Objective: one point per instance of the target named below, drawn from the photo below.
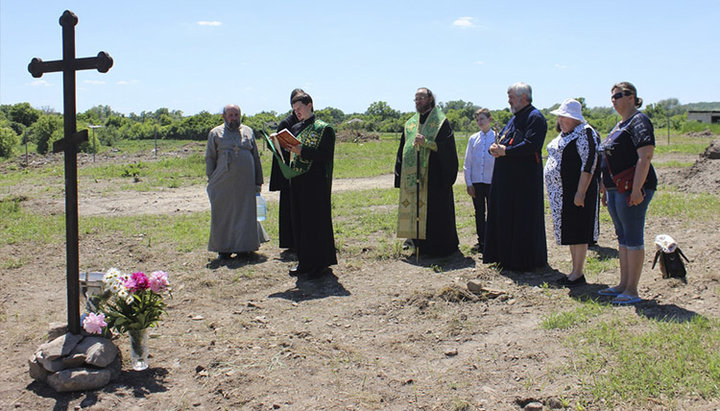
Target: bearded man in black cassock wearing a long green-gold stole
(429, 138)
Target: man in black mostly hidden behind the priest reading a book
(278, 182)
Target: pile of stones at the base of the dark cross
(71, 362)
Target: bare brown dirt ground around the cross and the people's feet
(378, 334)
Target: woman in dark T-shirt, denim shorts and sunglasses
(630, 144)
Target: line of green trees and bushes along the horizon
(21, 123)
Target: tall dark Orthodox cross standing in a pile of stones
(69, 65)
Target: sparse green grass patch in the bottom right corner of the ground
(627, 362)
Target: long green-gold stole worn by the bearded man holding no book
(412, 211)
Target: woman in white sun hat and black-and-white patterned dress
(572, 185)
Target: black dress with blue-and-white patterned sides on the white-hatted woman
(569, 155)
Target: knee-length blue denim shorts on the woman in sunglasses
(629, 221)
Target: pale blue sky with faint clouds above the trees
(199, 55)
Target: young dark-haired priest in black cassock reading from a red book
(310, 191)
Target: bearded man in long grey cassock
(232, 165)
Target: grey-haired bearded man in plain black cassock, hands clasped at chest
(515, 233)
